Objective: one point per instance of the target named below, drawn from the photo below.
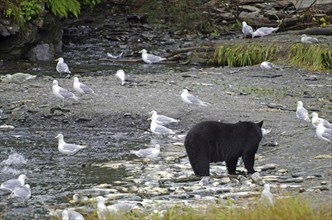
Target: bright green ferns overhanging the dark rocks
(25, 10)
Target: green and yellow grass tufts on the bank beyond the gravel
(312, 57)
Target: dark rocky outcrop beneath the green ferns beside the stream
(39, 40)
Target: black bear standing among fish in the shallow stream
(212, 141)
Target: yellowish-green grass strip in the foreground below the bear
(284, 209)
